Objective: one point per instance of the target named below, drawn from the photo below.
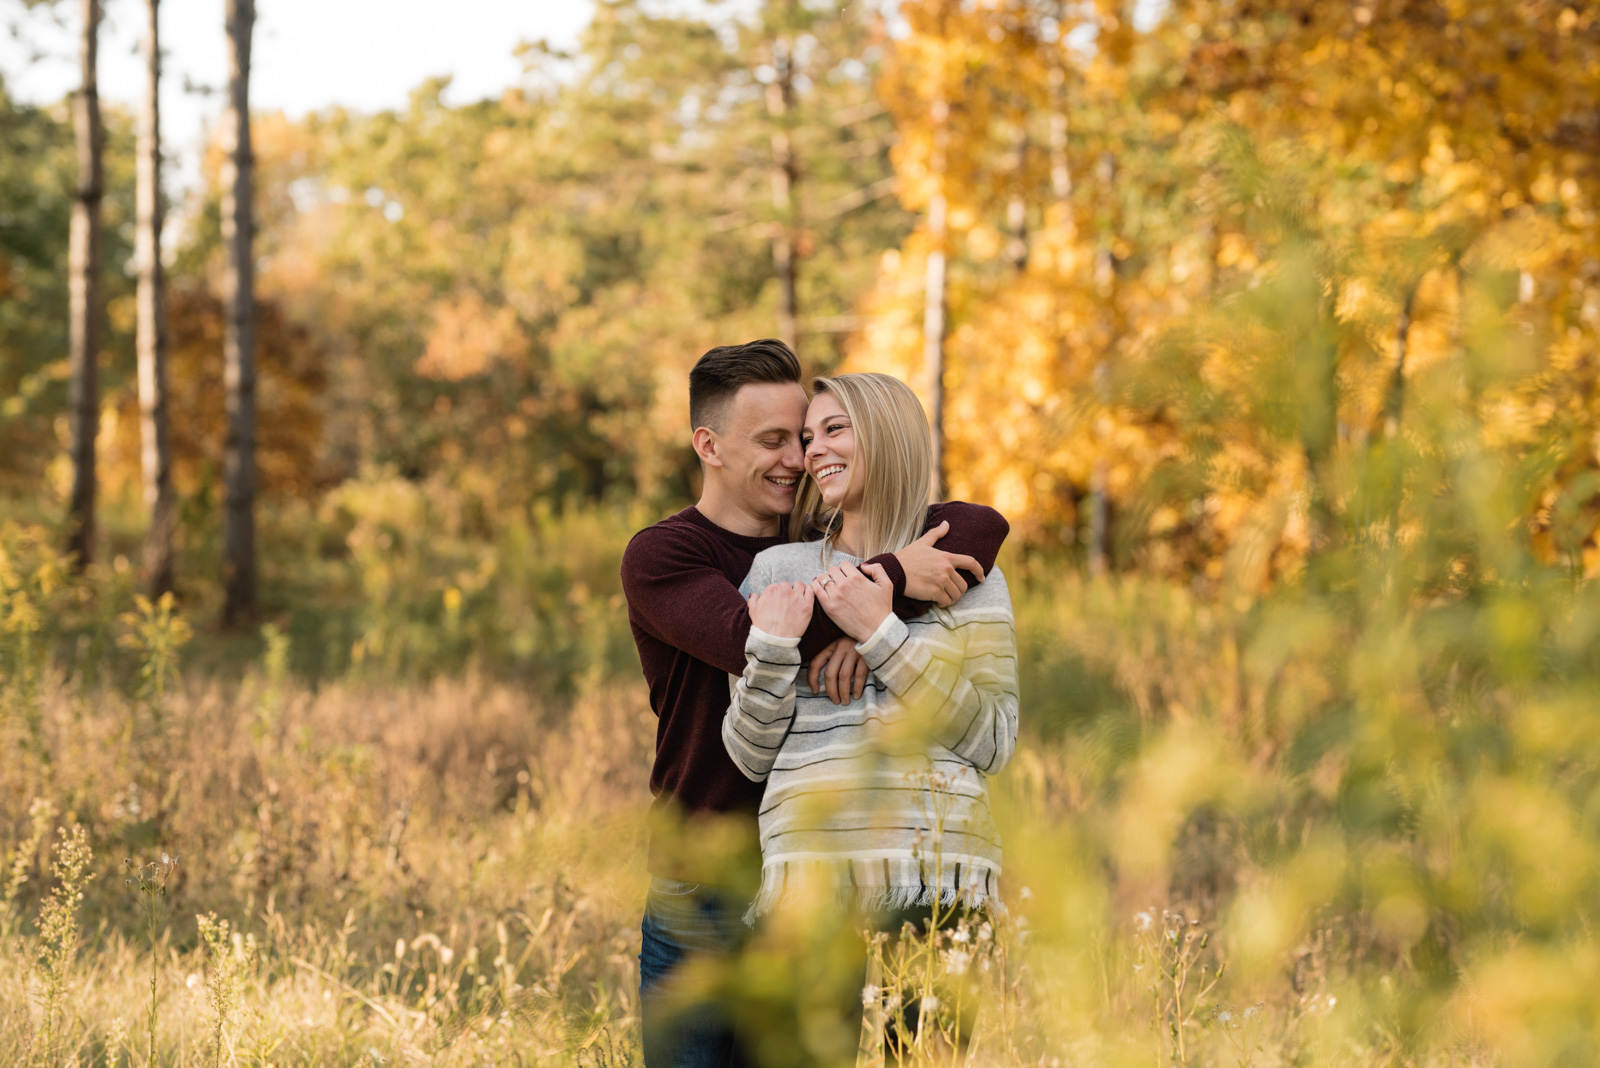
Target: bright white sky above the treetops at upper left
(308, 55)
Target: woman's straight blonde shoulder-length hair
(894, 464)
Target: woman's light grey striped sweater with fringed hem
(882, 802)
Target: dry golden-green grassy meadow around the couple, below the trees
(1338, 824)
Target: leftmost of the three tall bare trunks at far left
(84, 266)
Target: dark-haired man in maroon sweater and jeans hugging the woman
(690, 624)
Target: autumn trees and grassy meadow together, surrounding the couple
(1270, 325)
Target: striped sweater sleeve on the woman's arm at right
(959, 672)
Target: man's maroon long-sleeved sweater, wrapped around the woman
(682, 583)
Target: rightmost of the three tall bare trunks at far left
(239, 345)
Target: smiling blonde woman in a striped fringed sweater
(881, 803)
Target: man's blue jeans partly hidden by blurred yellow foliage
(686, 1024)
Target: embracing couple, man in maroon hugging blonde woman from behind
(833, 664)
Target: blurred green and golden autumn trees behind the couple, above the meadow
(1169, 276)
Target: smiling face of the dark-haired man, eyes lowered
(761, 448)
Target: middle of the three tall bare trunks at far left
(156, 453)
